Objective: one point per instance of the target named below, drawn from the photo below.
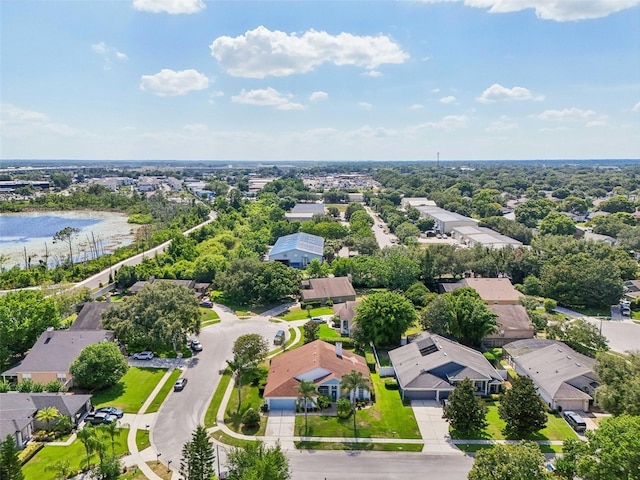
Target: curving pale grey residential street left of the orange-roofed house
(183, 411)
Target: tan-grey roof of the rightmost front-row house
(552, 365)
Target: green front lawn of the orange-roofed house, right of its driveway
(387, 417)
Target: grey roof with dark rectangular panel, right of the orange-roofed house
(430, 360)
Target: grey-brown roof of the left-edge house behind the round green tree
(55, 350)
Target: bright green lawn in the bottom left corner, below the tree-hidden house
(41, 466)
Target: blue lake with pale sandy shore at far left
(33, 232)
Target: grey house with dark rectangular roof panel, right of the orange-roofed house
(430, 367)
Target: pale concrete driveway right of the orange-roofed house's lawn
(433, 428)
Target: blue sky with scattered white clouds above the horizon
(320, 80)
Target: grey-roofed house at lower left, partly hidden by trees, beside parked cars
(18, 411)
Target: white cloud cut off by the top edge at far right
(558, 10)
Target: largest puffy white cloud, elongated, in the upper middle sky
(261, 52)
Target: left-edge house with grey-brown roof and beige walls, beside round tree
(53, 353)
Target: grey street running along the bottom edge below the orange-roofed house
(359, 465)
